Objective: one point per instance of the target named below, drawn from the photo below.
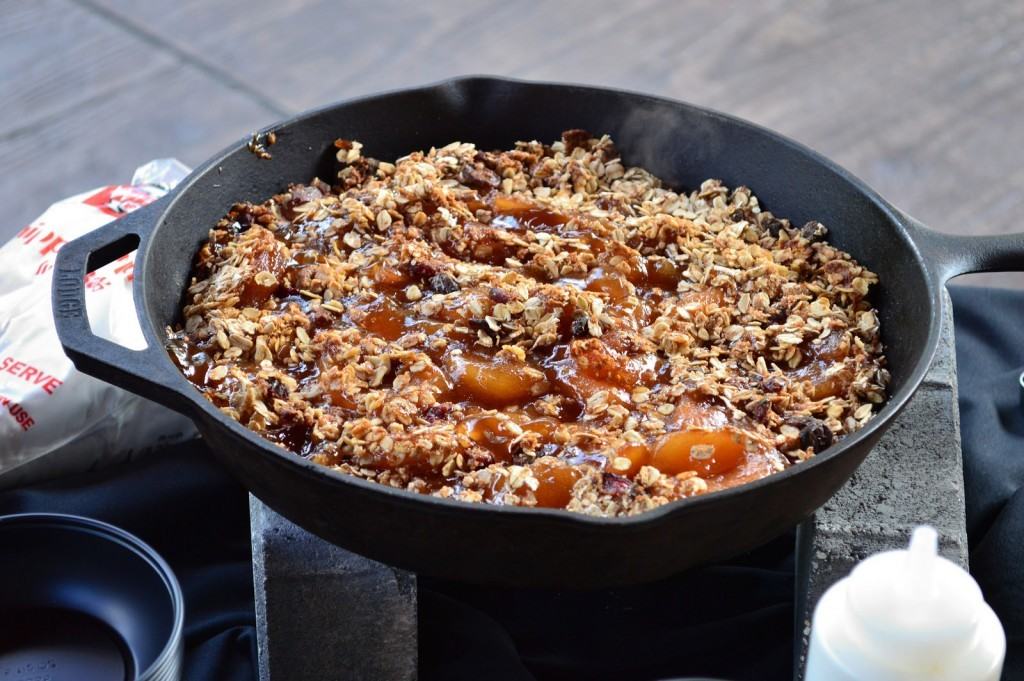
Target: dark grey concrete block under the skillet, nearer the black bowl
(327, 614)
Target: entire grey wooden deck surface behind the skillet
(924, 100)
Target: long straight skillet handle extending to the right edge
(953, 256)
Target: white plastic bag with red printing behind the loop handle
(55, 420)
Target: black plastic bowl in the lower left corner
(84, 601)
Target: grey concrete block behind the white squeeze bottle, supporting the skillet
(914, 477)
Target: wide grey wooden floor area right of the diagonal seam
(920, 99)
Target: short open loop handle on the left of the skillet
(134, 370)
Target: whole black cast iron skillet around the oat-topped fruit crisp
(684, 145)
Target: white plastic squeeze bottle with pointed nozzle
(906, 616)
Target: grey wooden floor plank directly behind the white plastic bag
(174, 113)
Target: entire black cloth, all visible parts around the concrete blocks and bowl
(732, 621)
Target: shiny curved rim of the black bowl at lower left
(137, 546)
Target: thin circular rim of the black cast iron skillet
(205, 411)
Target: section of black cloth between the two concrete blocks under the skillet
(732, 621)
